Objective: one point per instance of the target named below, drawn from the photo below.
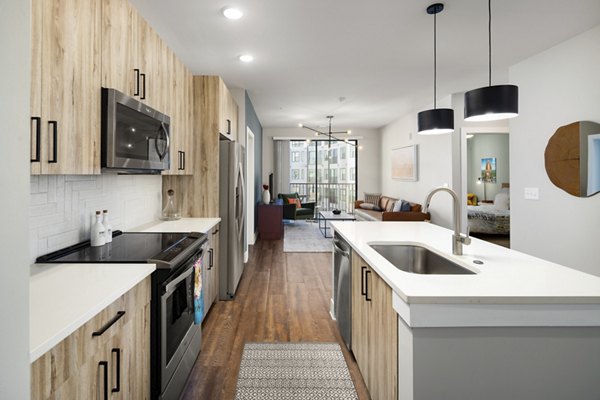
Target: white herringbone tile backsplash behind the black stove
(62, 207)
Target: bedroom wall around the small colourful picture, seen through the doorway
(484, 145)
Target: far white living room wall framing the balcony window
(368, 157)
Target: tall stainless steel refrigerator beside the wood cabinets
(233, 215)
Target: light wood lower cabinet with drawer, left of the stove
(109, 352)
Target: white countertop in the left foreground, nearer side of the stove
(63, 297)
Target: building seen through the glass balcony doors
(325, 172)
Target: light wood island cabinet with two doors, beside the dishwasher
(374, 331)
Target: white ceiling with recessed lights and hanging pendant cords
(366, 62)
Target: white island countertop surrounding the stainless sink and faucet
(506, 276)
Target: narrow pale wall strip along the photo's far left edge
(14, 175)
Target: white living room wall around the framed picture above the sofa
(434, 166)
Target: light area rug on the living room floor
(304, 237)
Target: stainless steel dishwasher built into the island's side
(342, 287)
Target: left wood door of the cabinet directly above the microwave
(119, 29)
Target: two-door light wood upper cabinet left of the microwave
(65, 87)
